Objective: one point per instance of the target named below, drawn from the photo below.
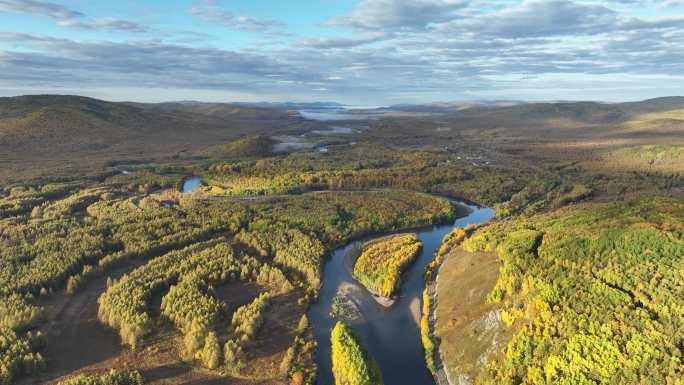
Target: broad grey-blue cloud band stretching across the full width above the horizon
(429, 66)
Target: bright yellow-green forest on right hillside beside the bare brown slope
(592, 294)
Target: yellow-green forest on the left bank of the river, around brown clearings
(60, 239)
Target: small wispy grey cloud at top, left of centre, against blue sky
(209, 11)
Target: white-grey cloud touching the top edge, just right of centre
(399, 14)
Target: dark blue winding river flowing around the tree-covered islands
(390, 334)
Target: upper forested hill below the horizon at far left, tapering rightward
(55, 126)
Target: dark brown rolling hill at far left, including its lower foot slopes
(58, 136)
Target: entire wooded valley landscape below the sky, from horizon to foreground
(185, 244)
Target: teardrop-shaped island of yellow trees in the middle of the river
(381, 263)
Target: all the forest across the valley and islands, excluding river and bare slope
(217, 284)
